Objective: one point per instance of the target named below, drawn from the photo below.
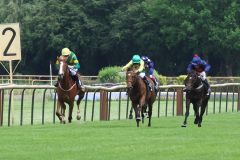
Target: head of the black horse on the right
(192, 81)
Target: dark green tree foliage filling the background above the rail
(108, 32)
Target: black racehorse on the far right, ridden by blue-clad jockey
(196, 93)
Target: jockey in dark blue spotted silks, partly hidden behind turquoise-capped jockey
(149, 67)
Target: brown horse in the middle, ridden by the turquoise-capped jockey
(140, 96)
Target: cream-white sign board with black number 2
(10, 48)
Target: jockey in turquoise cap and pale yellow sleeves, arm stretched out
(136, 60)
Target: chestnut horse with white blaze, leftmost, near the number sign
(66, 91)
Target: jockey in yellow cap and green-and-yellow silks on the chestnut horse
(73, 65)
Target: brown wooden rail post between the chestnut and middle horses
(103, 105)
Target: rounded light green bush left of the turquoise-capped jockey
(111, 75)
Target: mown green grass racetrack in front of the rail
(217, 139)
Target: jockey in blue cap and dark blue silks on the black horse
(201, 67)
